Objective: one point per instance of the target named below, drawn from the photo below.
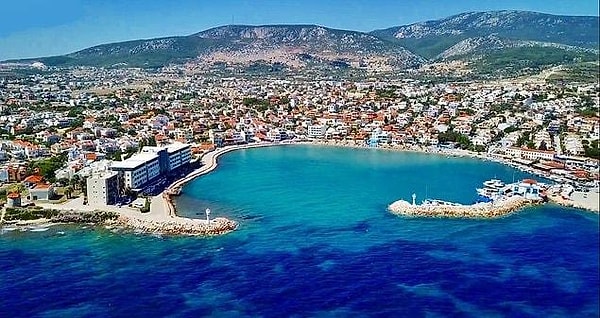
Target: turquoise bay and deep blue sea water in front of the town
(315, 239)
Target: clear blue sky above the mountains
(34, 28)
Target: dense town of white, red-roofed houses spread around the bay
(109, 136)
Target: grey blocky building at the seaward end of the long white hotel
(103, 188)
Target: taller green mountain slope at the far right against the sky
(432, 38)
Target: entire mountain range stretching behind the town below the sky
(469, 36)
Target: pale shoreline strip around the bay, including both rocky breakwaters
(163, 219)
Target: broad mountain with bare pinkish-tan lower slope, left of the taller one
(286, 44)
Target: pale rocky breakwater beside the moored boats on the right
(486, 210)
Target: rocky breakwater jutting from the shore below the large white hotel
(178, 226)
